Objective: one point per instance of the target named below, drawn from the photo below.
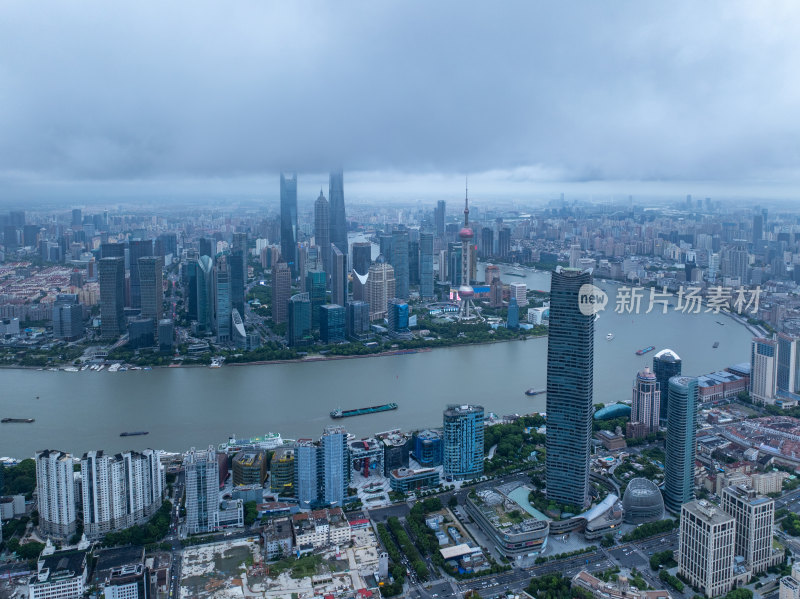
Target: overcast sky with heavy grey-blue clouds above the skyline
(202, 96)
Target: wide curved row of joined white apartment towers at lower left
(121, 490)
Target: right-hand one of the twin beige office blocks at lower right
(755, 517)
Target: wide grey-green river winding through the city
(185, 407)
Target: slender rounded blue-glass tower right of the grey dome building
(681, 445)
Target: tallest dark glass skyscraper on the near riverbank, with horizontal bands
(570, 382)
